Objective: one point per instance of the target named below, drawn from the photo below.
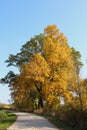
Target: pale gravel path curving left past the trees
(28, 121)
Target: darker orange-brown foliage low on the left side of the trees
(19, 92)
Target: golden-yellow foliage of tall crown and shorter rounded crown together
(50, 71)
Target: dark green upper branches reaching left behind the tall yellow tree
(26, 52)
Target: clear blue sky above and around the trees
(22, 19)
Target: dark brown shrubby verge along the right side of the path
(65, 120)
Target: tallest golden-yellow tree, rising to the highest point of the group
(58, 55)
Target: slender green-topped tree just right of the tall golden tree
(76, 85)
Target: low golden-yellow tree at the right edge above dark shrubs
(80, 103)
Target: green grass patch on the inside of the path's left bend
(8, 121)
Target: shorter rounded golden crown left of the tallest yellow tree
(37, 69)
